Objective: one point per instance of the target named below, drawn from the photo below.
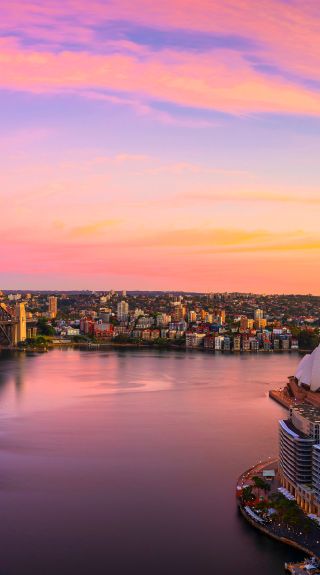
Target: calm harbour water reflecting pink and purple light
(126, 462)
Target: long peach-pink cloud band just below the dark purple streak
(218, 81)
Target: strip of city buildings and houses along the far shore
(218, 322)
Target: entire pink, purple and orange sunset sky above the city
(160, 145)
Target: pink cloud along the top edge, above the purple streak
(286, 34)
